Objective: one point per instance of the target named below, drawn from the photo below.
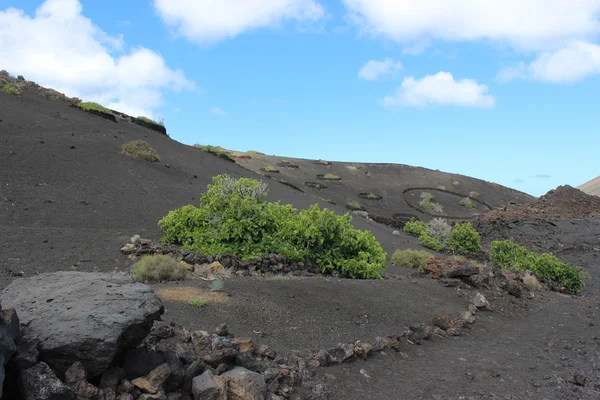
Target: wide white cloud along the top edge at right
(524, 24)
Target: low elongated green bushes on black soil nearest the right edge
(509, 255)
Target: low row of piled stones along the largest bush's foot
(273, 264)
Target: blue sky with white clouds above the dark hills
(478, 88)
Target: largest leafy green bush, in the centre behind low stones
(233, 218)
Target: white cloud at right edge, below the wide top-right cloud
(572, 63)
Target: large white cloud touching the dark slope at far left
(60, 48)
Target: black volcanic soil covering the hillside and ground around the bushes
(69, 199)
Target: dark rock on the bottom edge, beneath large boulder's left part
(40, 383)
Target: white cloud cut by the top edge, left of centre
(208, 21)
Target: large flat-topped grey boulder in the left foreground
(87, 317)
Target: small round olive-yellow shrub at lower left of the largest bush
(156, 268)
